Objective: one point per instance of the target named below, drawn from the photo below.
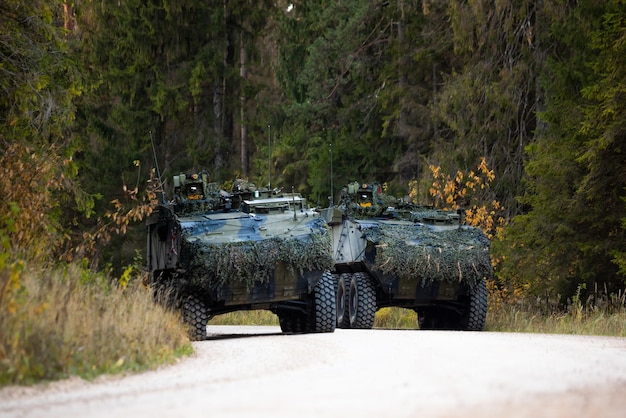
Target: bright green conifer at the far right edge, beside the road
(574, 234)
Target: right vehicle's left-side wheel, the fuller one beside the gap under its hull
(362, 301)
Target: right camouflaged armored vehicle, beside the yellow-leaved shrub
(393, 253)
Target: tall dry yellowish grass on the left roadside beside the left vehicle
(66, 322)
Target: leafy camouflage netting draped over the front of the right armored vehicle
(451, 255)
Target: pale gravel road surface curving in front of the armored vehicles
(243, 371)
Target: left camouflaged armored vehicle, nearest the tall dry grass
(212, 252)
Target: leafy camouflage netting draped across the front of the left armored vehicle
(213, 265)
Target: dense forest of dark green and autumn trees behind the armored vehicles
(286, 91)
